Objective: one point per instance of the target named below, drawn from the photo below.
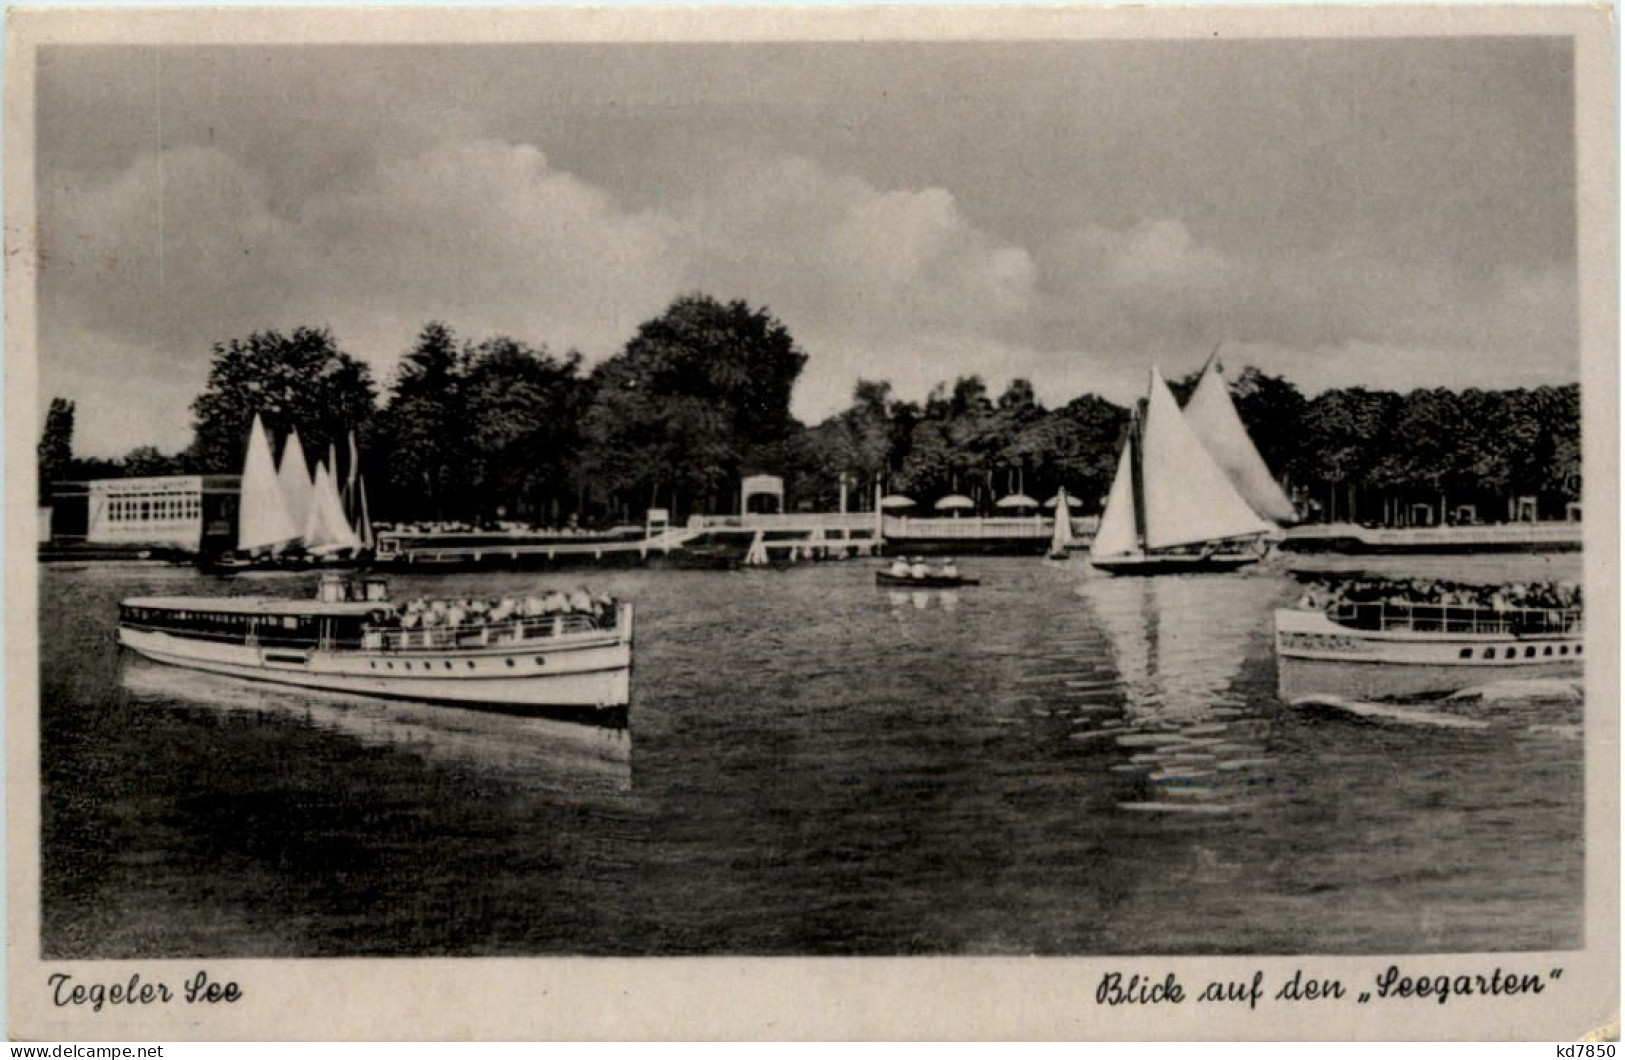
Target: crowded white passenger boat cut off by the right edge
(1384, 651)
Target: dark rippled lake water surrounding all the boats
(1051, 763)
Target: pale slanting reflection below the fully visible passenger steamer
(537, 752)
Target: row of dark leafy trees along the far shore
(701, 396)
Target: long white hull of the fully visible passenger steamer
(586, 672)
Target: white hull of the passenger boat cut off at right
(1320, 658)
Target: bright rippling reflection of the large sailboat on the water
(1179, 646)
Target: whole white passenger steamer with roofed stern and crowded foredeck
(352, 638)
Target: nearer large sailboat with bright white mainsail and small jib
(1172, 510)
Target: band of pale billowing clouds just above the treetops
(898, 284)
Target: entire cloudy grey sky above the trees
(1387, 214)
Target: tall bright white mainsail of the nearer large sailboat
(1189, 498)
